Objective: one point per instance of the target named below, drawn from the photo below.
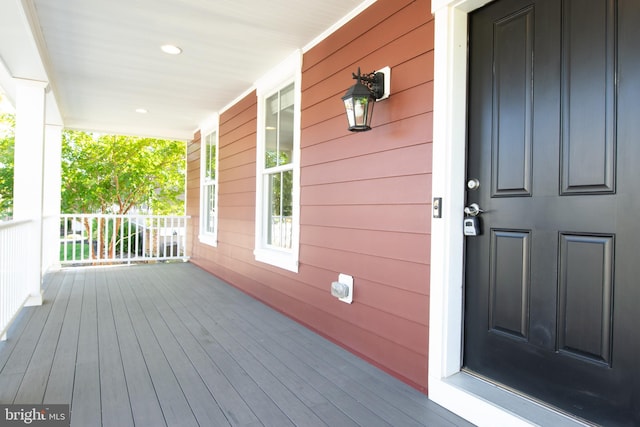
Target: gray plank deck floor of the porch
(169, 344)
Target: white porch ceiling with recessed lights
(102, 58)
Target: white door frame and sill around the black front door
(480, 402)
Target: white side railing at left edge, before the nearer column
(16, 245)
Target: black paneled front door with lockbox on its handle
(552, 285)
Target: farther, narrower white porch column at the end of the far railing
(51, 197)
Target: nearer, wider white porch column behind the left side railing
(28, 188)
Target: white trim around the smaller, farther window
(206, 129)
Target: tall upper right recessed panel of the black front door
(588, 142)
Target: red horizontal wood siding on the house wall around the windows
(365, 197)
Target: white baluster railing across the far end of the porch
(110, 239)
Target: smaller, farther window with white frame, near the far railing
(209, 188)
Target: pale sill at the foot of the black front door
(489, 398)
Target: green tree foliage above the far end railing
(113, 174)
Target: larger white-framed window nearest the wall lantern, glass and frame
(277, 216)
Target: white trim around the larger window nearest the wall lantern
(289, 71)
